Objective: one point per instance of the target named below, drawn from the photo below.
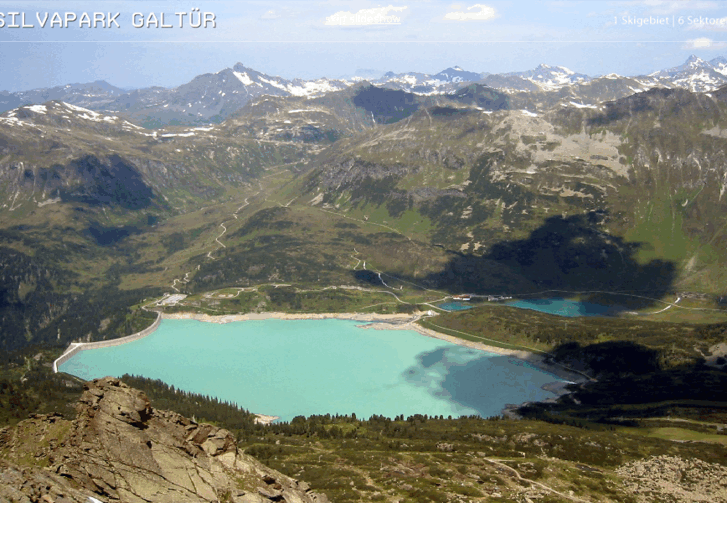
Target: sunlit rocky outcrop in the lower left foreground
(120, 449)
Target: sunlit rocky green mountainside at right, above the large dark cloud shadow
(655, 210)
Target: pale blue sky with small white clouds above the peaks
(334, 38)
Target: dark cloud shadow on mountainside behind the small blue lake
(563, 254)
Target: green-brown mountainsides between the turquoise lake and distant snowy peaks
(455, 191)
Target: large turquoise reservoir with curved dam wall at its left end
(287, 368)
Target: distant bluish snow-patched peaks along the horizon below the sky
(211, 98)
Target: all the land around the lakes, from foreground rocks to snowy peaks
(251, 193)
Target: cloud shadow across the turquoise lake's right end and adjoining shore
(630, 378)
